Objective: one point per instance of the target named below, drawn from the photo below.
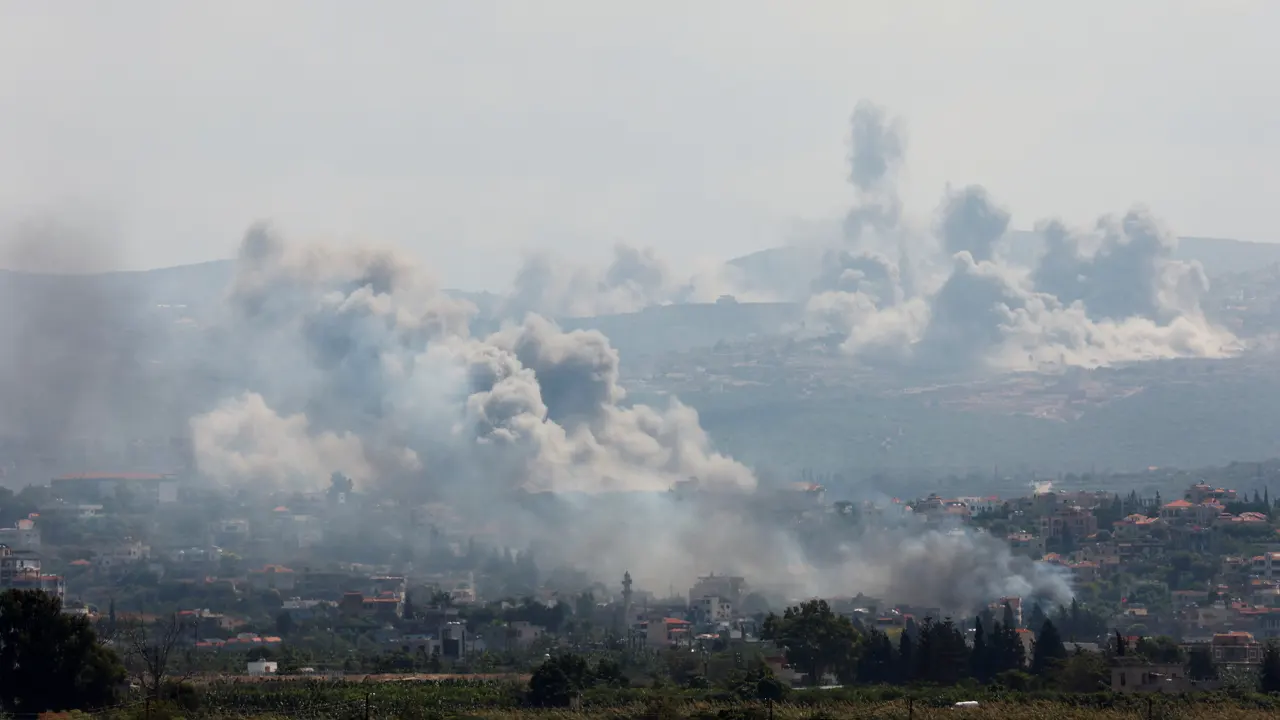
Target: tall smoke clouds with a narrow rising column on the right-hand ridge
(952, 302)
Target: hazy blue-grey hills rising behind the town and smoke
(774, 398)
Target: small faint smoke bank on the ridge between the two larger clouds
(634, 280)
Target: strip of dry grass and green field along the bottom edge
(285, 699)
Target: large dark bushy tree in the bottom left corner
(52, 662)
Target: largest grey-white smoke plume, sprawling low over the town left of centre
(354, 362)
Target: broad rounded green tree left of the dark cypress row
(816, 640)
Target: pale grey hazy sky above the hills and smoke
(469, 130)
